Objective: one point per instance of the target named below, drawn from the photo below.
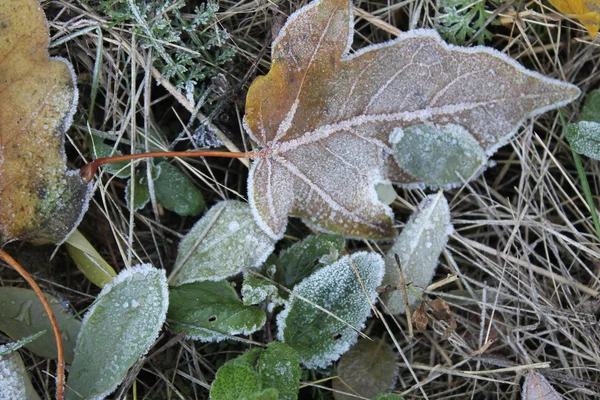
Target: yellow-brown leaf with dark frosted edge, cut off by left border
(40, 201)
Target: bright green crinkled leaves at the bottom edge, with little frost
(271, 373)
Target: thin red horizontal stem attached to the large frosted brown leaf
(89, 170)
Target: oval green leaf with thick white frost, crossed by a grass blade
(319, 337)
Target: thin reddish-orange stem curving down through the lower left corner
(60, 374)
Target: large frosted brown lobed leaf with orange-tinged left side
(322, 117)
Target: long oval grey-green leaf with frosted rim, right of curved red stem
(117, 330)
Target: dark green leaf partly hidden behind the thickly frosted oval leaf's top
(302, 258)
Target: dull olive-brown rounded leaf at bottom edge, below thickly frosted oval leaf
(367, 369)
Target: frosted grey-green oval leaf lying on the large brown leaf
(438, 155)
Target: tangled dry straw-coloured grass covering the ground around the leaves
(525, 255)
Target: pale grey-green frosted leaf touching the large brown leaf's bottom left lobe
(223, 243)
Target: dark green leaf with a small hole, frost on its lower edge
(209, 311)
